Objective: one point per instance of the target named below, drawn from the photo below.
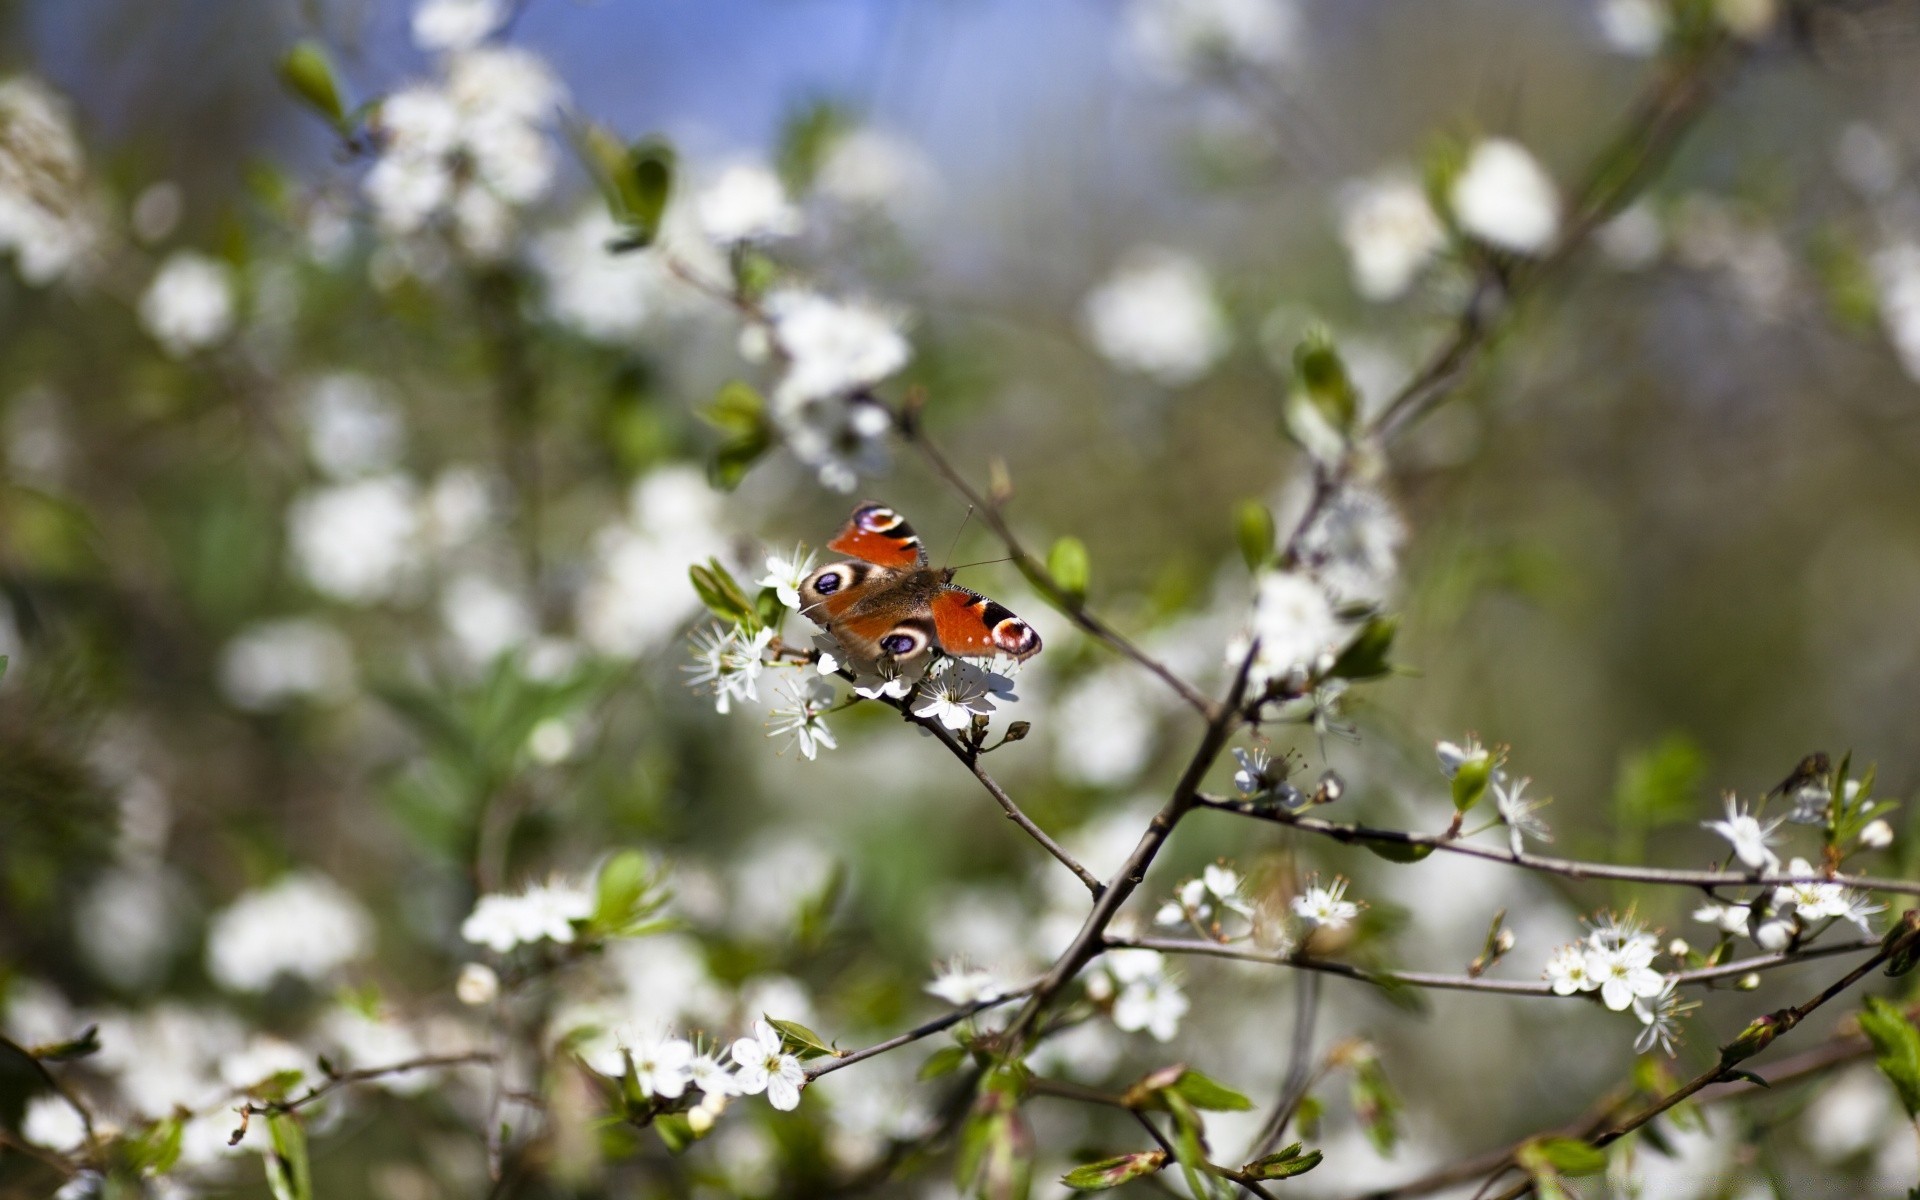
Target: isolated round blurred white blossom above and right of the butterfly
(1157, 316)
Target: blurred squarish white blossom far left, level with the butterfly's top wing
(356, 542)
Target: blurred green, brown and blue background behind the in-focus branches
(343, 554)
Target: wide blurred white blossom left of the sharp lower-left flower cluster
(302, 926)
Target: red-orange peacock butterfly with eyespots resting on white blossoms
(890, 612)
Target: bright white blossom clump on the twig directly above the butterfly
(832, 347)
